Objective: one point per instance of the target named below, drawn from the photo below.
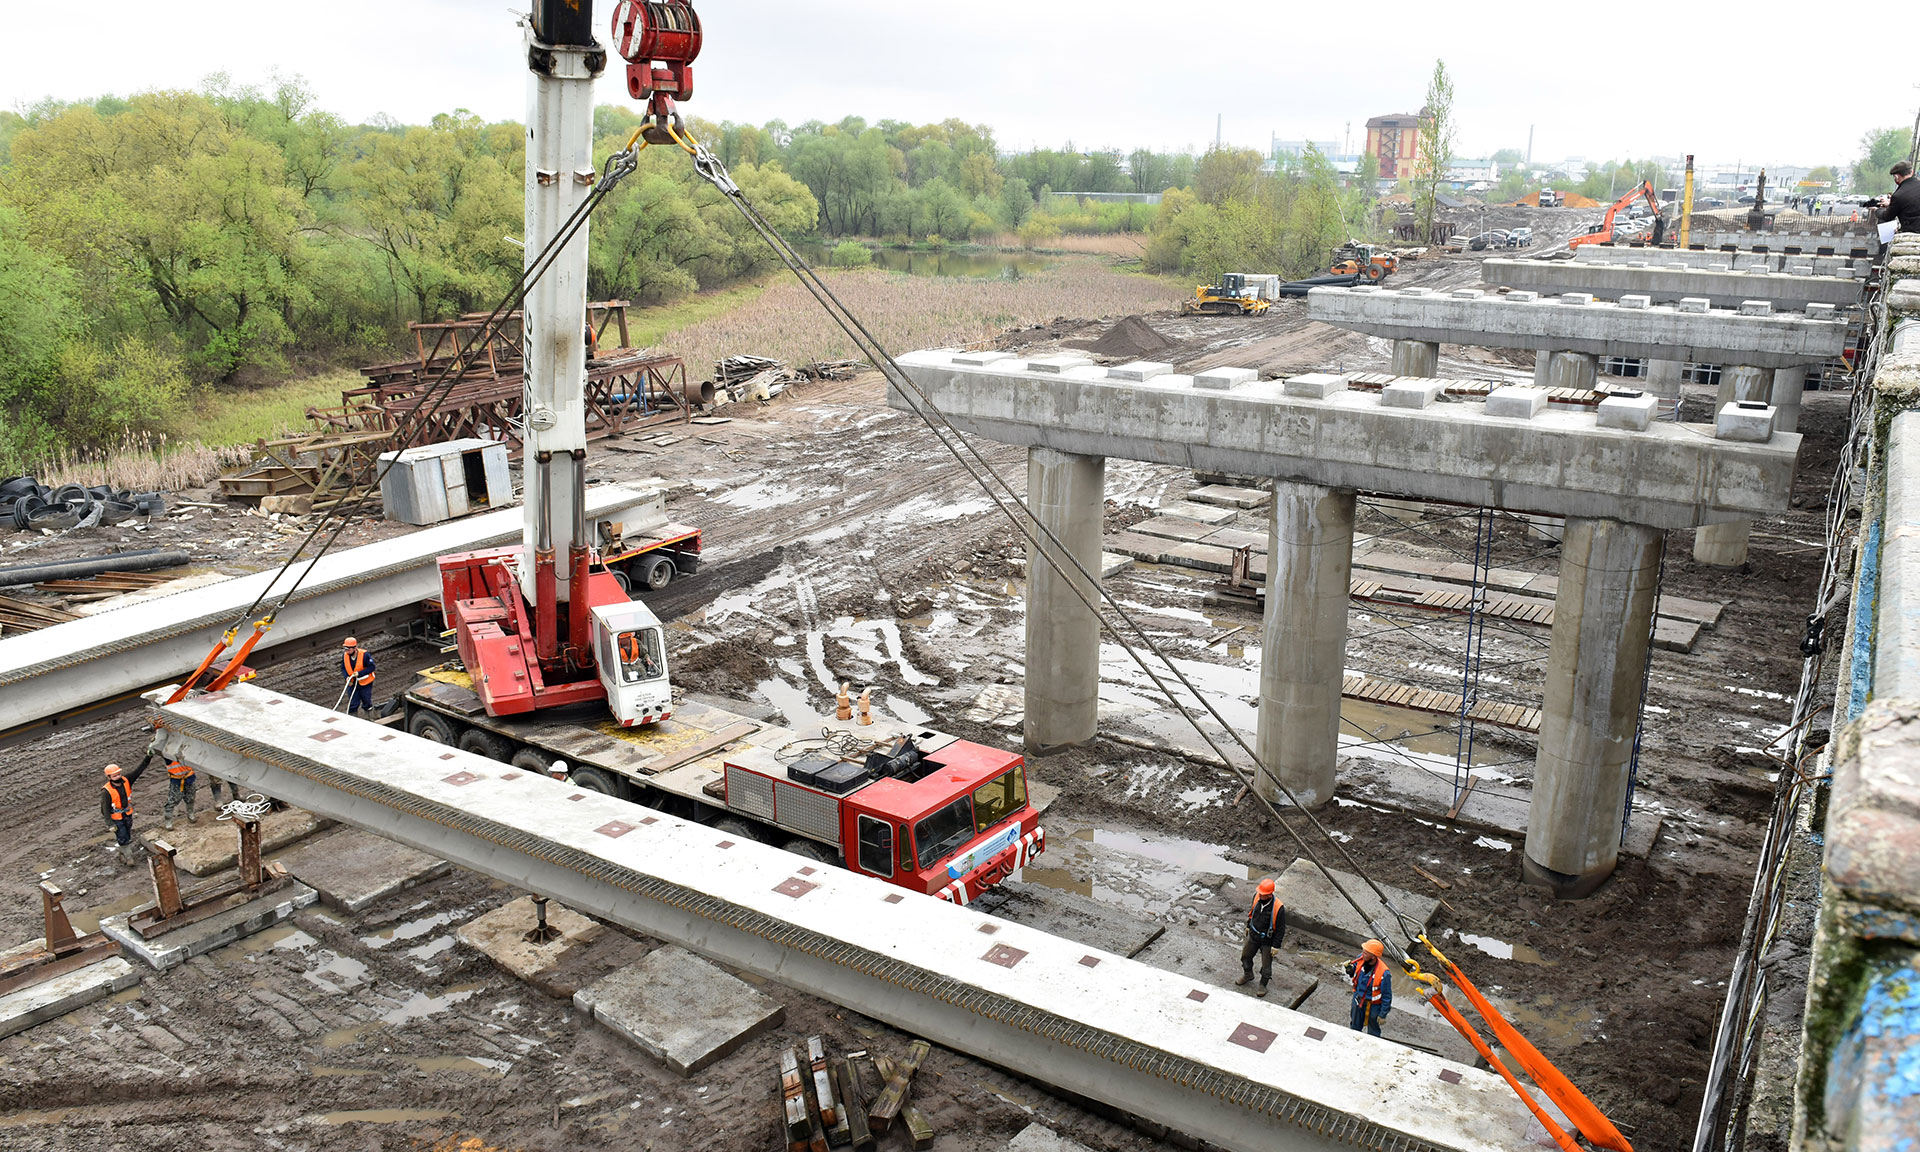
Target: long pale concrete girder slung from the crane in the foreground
(1218, 1067)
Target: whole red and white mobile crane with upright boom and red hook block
(550, 648)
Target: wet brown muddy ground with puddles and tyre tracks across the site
(844, 546)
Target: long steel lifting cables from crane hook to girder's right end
(1045, 542)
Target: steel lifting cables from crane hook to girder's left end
(619, 166)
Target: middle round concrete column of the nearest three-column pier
(1303, 640)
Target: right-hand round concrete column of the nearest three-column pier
(1602, 623)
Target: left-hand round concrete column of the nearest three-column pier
(1067, 494)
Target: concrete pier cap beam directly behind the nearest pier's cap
(1577, 324)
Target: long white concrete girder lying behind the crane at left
(87, 665)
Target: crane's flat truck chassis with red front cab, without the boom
(909, 805)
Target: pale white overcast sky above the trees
(1116, 74)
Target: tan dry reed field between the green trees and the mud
(913, 312)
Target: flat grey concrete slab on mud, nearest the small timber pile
(681, 1009)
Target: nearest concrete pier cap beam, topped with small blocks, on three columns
(1558, 464)
